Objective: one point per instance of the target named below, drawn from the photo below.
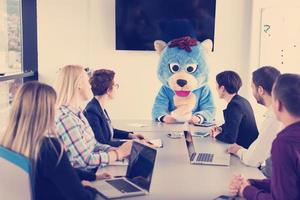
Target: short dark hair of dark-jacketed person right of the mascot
(230, 80)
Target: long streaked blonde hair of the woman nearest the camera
(31, 119)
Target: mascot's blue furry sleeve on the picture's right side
(206, 107)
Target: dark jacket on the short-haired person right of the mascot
(240, 126)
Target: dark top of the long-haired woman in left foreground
(58, 180)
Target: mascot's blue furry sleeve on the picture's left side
(161, 105)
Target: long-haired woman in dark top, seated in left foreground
(30, 132)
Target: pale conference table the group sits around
(174, 177)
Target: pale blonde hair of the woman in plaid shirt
(67, 82)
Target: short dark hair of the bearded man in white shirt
(265, 77)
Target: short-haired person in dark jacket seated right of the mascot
(240, 126)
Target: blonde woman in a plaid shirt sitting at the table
(74, 131)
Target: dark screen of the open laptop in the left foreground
(141, 165)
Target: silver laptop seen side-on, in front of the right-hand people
(204, 158)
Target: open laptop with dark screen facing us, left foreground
(138, 176)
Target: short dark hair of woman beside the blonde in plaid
(101, 81)
